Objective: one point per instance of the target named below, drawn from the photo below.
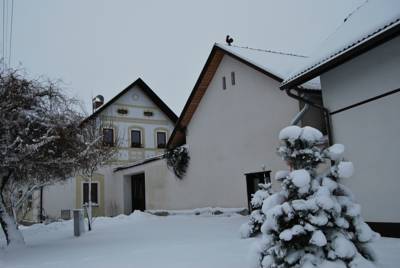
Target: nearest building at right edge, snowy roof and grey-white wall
(359, 68)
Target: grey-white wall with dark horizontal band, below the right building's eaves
(371, 131)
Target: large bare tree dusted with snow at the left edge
(40, 141)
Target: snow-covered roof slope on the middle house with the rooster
(279, 64)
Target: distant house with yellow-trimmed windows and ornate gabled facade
(141, 123)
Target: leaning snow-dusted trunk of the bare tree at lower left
(13, 236)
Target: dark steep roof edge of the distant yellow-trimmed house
(149, 93)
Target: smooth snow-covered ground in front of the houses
(143, 240)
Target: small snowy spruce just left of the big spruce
(257, 217)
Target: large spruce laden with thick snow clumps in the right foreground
(313, 221)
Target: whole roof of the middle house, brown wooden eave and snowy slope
(273, 64)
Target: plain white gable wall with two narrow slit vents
(233, 132)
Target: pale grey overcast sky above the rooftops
(100, 47)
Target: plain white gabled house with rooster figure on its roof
(229, 125)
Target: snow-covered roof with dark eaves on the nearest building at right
(368, 21)
